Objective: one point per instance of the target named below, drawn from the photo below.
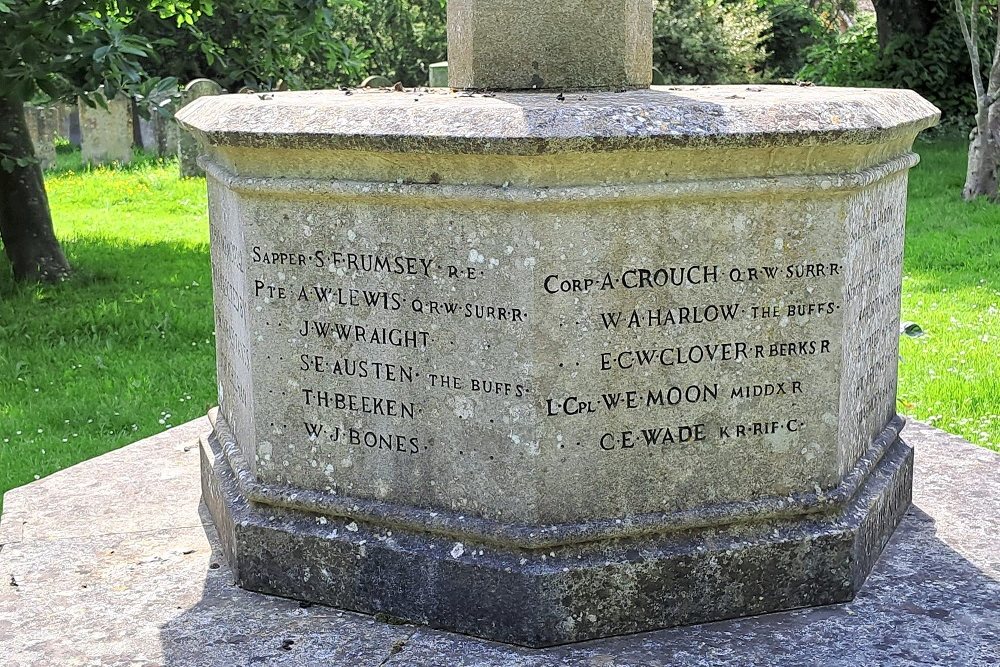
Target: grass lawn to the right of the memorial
(950, 377)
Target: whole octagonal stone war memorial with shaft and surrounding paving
(512, 369)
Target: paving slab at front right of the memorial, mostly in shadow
(933, 599)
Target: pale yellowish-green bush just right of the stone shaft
(708, 41)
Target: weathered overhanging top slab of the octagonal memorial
(435, 120)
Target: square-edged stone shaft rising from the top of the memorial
(550, 44)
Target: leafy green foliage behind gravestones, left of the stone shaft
(304, 43)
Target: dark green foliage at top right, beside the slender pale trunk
(936, 66)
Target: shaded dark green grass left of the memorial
(118, 352)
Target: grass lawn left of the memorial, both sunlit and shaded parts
(126, 347)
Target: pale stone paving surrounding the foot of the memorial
(113, 564)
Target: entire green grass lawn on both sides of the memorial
(126, 349)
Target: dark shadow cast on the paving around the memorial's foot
(925, 603)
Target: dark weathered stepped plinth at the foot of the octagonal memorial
(549, 596)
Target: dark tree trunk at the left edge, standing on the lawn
(25, 220)
